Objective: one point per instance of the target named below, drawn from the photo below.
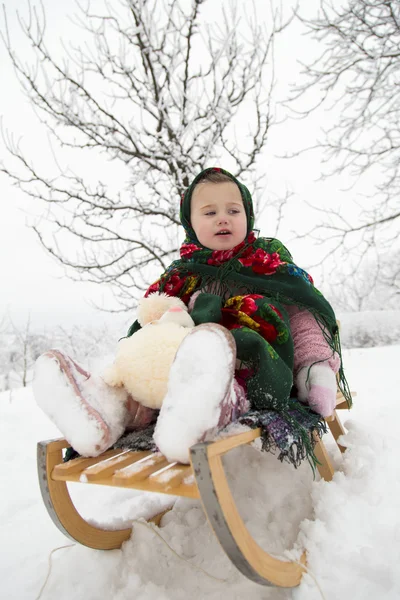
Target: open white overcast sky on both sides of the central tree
(33, 283)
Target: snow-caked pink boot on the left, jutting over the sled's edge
(90, 414)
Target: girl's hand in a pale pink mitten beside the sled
(319, 390)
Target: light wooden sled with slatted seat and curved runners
(204, 479)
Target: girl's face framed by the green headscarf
(217, 215)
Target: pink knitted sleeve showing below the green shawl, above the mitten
(309, 343)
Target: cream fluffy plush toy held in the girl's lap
(144, 360)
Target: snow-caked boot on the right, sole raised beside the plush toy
(201, 391)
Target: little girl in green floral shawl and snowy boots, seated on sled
(261, 329)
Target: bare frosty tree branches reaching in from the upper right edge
(356, 75)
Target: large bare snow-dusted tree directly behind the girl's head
(162, 91)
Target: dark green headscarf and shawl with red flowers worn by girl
(246, 289)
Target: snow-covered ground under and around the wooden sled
(349, 527)
